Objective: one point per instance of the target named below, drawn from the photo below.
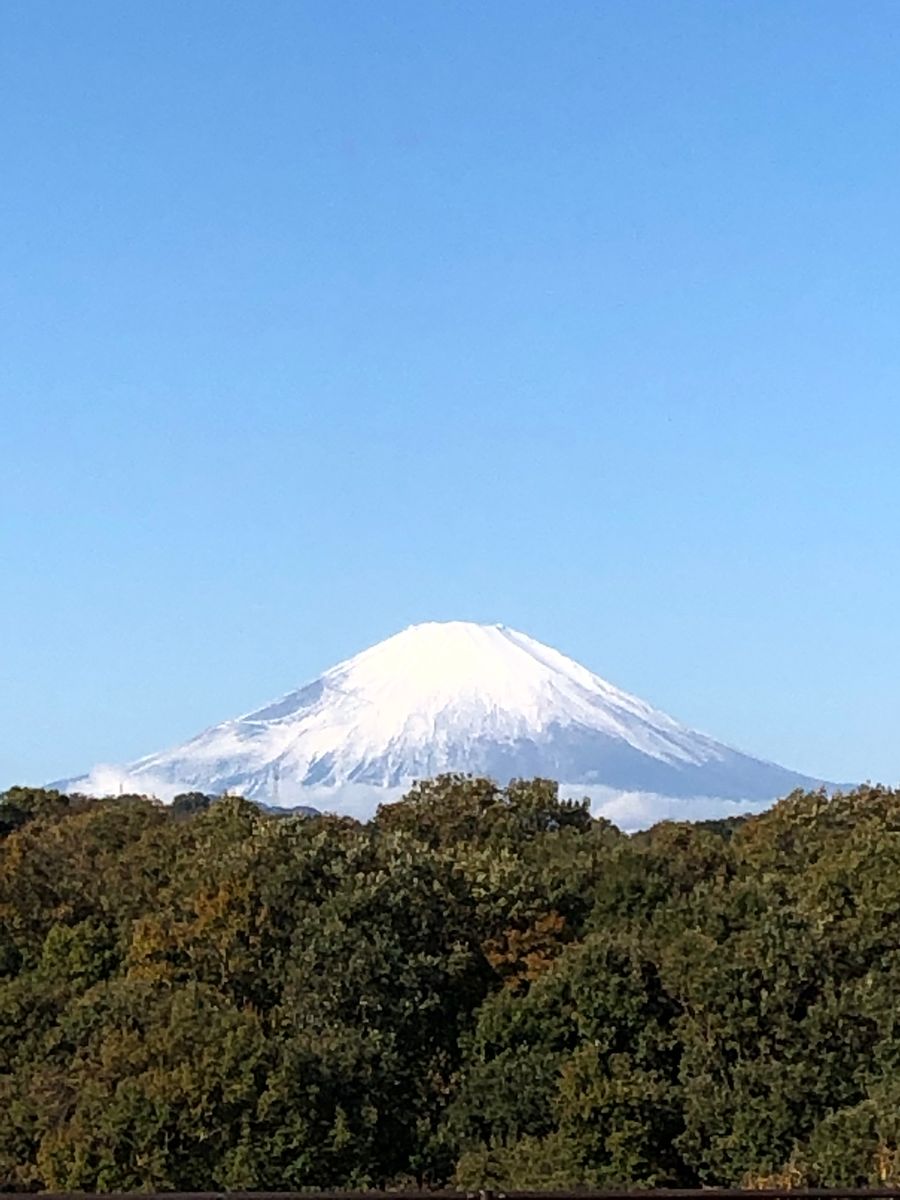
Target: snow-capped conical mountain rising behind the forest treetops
(458, 697)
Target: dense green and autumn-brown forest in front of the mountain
(483, 987)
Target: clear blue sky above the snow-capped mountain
(325, 319)
